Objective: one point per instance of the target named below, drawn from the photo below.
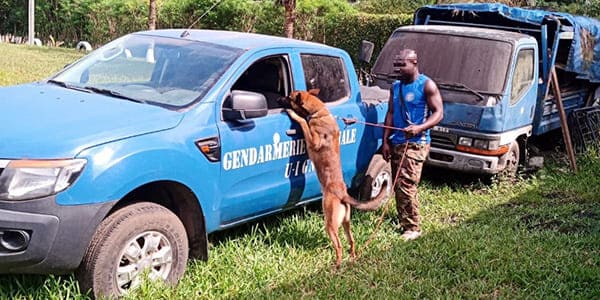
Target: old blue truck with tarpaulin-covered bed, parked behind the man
(493, 66)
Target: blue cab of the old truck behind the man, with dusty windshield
(487, 79)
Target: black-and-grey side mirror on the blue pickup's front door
(243, 105)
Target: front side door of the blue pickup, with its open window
(258, 155)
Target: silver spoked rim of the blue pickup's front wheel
(149, 252)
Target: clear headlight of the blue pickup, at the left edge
(26, 179)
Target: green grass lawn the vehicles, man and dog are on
(538, 238)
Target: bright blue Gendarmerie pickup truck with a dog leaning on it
(128, 158)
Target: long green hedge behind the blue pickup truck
(334, 22)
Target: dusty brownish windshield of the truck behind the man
(467, 65)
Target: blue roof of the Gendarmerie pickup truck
(242, 40)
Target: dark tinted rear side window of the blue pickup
(328, 74)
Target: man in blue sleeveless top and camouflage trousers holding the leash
(415, 105)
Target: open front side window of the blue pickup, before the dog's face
(269, 76)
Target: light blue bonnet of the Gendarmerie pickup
(47, 121)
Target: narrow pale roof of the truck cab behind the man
(484, 33)
